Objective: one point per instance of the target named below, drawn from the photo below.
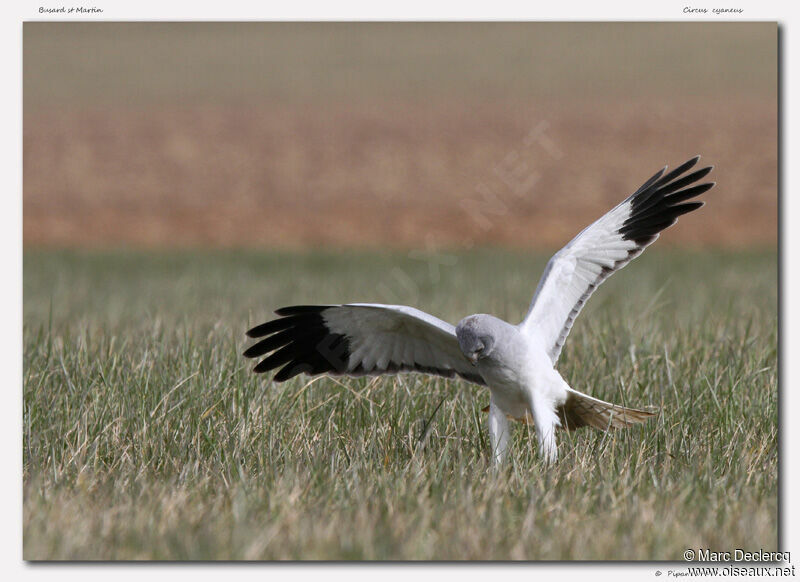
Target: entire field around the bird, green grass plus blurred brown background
(146, 436)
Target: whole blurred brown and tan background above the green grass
(284, 135)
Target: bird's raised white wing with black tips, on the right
(604, 247)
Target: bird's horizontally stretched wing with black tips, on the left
(358, 339)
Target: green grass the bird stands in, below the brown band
(147, 437)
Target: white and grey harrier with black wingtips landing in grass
(516, 362)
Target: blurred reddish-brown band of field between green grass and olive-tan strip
(394, 175)
